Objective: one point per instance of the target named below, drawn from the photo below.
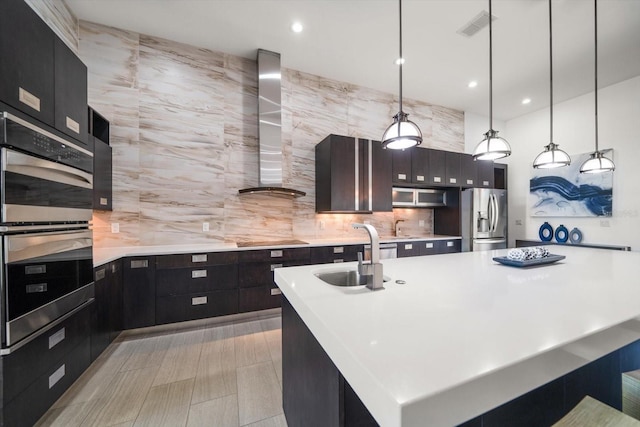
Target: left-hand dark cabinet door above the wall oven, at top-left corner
(27, 65)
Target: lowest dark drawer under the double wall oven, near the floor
(26, 408)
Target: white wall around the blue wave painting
(619, 128)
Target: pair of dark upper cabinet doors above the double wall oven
(39, 74)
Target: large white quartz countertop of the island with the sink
(465, 334)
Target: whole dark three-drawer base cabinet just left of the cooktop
(196, 286)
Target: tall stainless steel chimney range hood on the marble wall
(270, 128)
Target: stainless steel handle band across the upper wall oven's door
(23, 164)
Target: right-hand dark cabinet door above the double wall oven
(70, 82)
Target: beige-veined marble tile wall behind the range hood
(185, 140)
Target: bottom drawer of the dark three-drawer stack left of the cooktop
(178, 308)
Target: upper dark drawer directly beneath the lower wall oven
(23, 366)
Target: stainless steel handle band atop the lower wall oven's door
(25, 246)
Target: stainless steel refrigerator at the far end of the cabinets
(484, 219)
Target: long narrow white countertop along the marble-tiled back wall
(105, 255)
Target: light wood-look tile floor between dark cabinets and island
(191, 374)
